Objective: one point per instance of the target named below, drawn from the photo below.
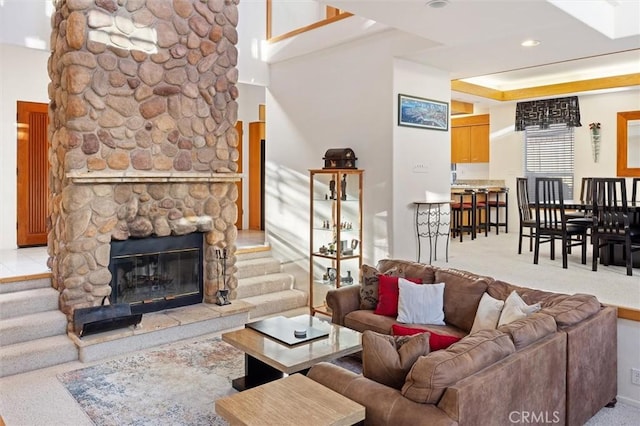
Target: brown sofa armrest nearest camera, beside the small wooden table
(384, 405)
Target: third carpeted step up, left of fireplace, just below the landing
(28, 302)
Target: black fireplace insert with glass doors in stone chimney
(157, 273)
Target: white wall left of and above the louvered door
(23, 76)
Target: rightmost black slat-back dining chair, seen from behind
(611, 222)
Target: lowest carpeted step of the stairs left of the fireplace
(36, 354)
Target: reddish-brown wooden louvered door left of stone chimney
(33, 173)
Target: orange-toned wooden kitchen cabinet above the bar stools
(470, 139)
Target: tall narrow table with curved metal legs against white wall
(429, 224)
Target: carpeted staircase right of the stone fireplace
(262, 283)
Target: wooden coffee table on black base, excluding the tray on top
(268, 359)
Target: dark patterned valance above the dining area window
(544, 112)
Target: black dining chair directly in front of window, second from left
(552, 224)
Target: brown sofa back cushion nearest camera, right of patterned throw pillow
(432, 374)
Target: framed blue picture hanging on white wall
(424, 113)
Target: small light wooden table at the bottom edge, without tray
(294, 400)
